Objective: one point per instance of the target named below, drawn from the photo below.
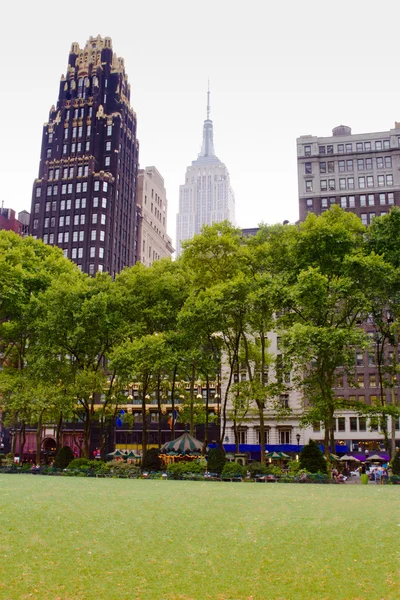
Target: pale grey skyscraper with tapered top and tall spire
(206, 197)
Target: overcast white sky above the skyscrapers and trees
(277, 69)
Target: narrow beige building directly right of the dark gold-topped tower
(153, 241)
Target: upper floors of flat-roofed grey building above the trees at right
(359, 172)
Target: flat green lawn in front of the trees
(77, 538)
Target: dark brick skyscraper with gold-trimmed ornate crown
(84, 199)
